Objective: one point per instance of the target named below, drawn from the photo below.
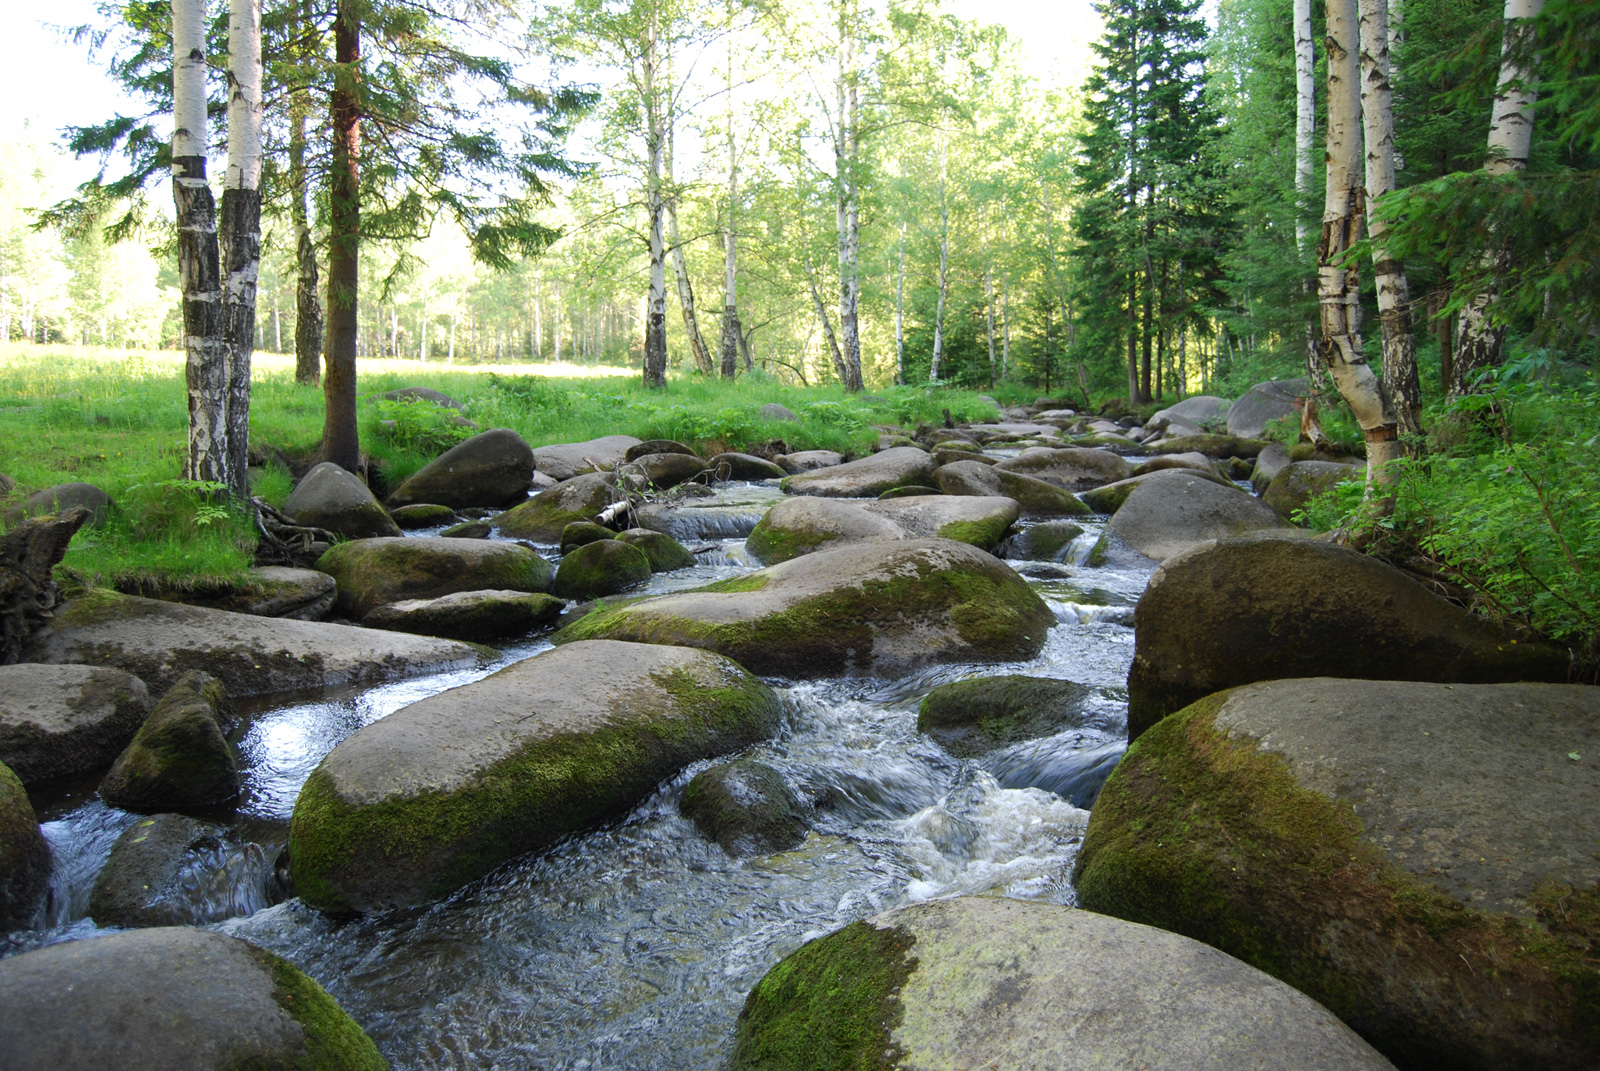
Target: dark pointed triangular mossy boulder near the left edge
(180, 758)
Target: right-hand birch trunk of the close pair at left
(241, 230)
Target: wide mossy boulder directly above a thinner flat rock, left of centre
(377, 572)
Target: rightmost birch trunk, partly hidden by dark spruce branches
(1511, 137)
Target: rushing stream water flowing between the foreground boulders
(634, 945)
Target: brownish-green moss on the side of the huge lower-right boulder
(1207, 836)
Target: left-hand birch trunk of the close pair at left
(206, 339)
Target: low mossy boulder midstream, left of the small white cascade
(970, 718)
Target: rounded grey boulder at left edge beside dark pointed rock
(57, 721)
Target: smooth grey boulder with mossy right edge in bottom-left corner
(172, 998)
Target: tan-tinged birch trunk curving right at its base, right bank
(1342, 225)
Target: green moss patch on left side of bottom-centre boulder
(830, 1006)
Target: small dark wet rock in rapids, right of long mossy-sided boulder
(746, 808)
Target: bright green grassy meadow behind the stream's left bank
(119, 420)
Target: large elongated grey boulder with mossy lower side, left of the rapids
(449, 788)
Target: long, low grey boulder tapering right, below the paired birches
(159, 641)
